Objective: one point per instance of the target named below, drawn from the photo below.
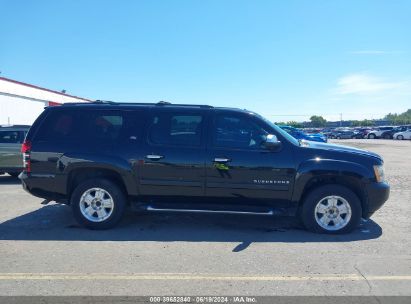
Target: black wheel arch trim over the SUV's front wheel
(351, 183)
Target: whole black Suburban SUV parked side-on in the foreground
(102, 157)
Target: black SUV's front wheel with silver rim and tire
(331, 209)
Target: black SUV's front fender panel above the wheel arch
(328, 168)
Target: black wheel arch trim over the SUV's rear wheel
(80, 175)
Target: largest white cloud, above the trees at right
(365, 84)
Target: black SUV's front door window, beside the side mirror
(237, 132)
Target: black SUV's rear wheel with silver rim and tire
(98, 204)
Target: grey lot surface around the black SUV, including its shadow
(44, 252)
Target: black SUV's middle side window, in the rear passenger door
(175, 129)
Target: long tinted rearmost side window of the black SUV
(91, 125)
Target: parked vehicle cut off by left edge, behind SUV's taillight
(11, 139)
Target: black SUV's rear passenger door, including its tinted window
(173, 162)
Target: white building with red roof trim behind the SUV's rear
(22, 103)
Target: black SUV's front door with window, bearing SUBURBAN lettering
(239, 169)
